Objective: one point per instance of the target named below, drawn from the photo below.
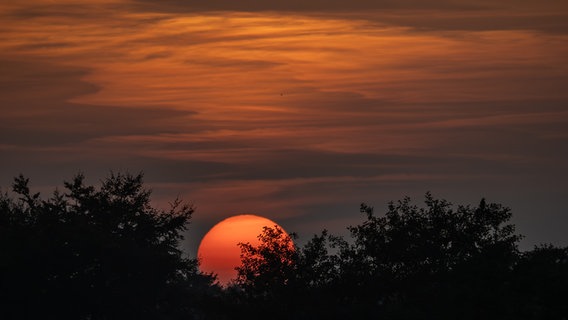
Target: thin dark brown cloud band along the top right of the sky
(544, 16)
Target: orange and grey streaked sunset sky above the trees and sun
(294, 110)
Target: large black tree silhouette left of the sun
(95, 253)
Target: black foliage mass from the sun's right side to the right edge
(432, 262)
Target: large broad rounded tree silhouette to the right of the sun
(434, 261)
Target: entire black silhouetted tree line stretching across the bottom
(105, 253)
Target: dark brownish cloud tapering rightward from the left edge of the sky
(34, 101)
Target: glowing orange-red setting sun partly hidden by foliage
(219, 252)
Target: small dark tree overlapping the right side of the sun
(278, 278)
